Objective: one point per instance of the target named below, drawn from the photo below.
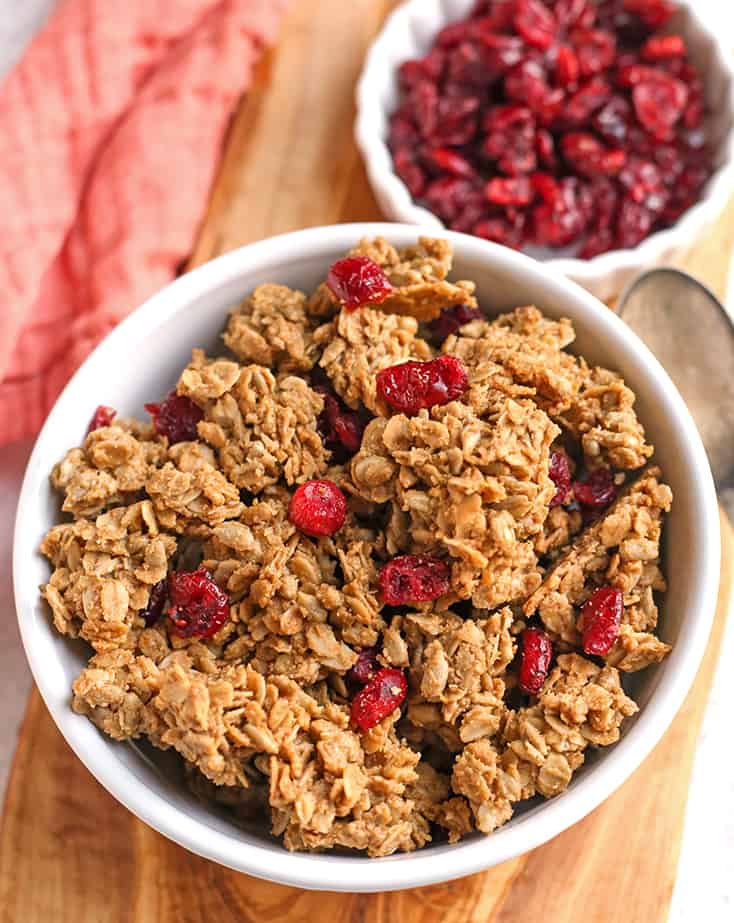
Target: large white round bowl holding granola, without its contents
(141, 360)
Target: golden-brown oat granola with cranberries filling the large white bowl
(347, 721)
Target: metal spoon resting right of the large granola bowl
(691, 334)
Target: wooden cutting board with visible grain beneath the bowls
(70, 854)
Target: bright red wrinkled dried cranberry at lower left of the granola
(198, 607)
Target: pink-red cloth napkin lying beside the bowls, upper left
(112, 127)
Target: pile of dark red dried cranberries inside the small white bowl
(504, 91)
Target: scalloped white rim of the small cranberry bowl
(394, 195)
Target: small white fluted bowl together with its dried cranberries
(594, 134)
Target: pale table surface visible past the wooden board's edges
(705, 887)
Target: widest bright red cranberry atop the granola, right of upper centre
(413, 386)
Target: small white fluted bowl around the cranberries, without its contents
(409, 33)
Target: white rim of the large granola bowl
(340, 873)
